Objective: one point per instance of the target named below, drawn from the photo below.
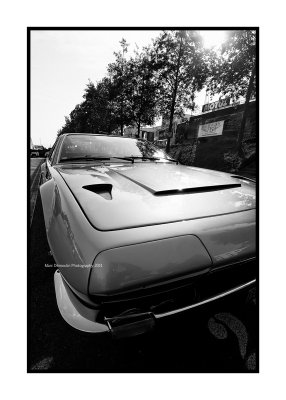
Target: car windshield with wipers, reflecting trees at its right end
(92, 146)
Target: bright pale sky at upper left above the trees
(62, 62)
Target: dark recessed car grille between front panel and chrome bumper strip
(185, 291)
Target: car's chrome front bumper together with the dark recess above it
(130, 315)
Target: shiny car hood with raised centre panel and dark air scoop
(122, 196)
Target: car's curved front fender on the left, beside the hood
(69, 234)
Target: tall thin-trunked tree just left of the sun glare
(183, 69)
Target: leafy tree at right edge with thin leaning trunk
(234, 72)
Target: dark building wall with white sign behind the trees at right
(212, 135)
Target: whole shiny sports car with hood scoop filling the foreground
(137, 237)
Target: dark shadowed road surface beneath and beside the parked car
(221, 337)
